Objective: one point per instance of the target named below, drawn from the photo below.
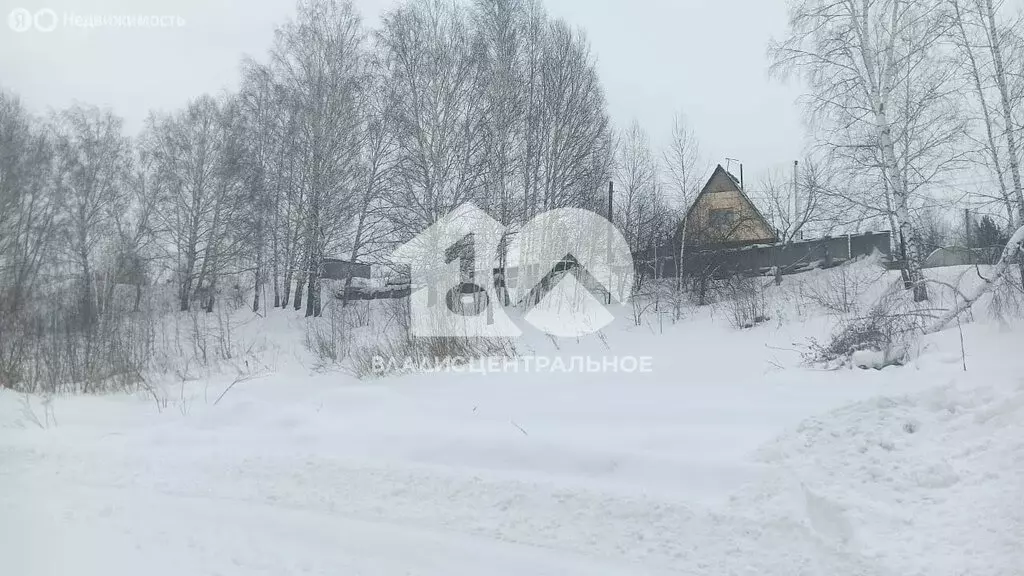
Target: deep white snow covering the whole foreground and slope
(728, 458)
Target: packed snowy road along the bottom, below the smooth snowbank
(264, 513)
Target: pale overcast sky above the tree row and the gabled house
(706, 58)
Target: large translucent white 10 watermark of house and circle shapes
(563, 265)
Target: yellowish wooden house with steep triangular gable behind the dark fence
(723, 217)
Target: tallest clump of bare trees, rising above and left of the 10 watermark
(379, 135)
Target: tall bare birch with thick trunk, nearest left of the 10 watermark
(320, 60)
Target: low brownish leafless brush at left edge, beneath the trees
(50, 347)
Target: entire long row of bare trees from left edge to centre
(342, 142)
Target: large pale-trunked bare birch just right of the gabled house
(857, 58)
